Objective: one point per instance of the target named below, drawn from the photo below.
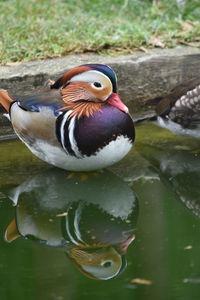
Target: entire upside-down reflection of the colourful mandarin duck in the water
(92, 217)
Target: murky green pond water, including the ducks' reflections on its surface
(136, 224)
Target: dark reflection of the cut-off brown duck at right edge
(180, 171)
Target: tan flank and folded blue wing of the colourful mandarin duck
(34, 117)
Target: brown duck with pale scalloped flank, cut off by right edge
(179, 111)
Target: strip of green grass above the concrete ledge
(43, 29)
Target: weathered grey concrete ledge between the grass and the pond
(141, 76)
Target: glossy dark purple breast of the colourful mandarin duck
(93, 133)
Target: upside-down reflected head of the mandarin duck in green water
(100, 261)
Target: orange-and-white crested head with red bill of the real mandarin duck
(90, 83)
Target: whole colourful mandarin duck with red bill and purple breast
(78, 123)
